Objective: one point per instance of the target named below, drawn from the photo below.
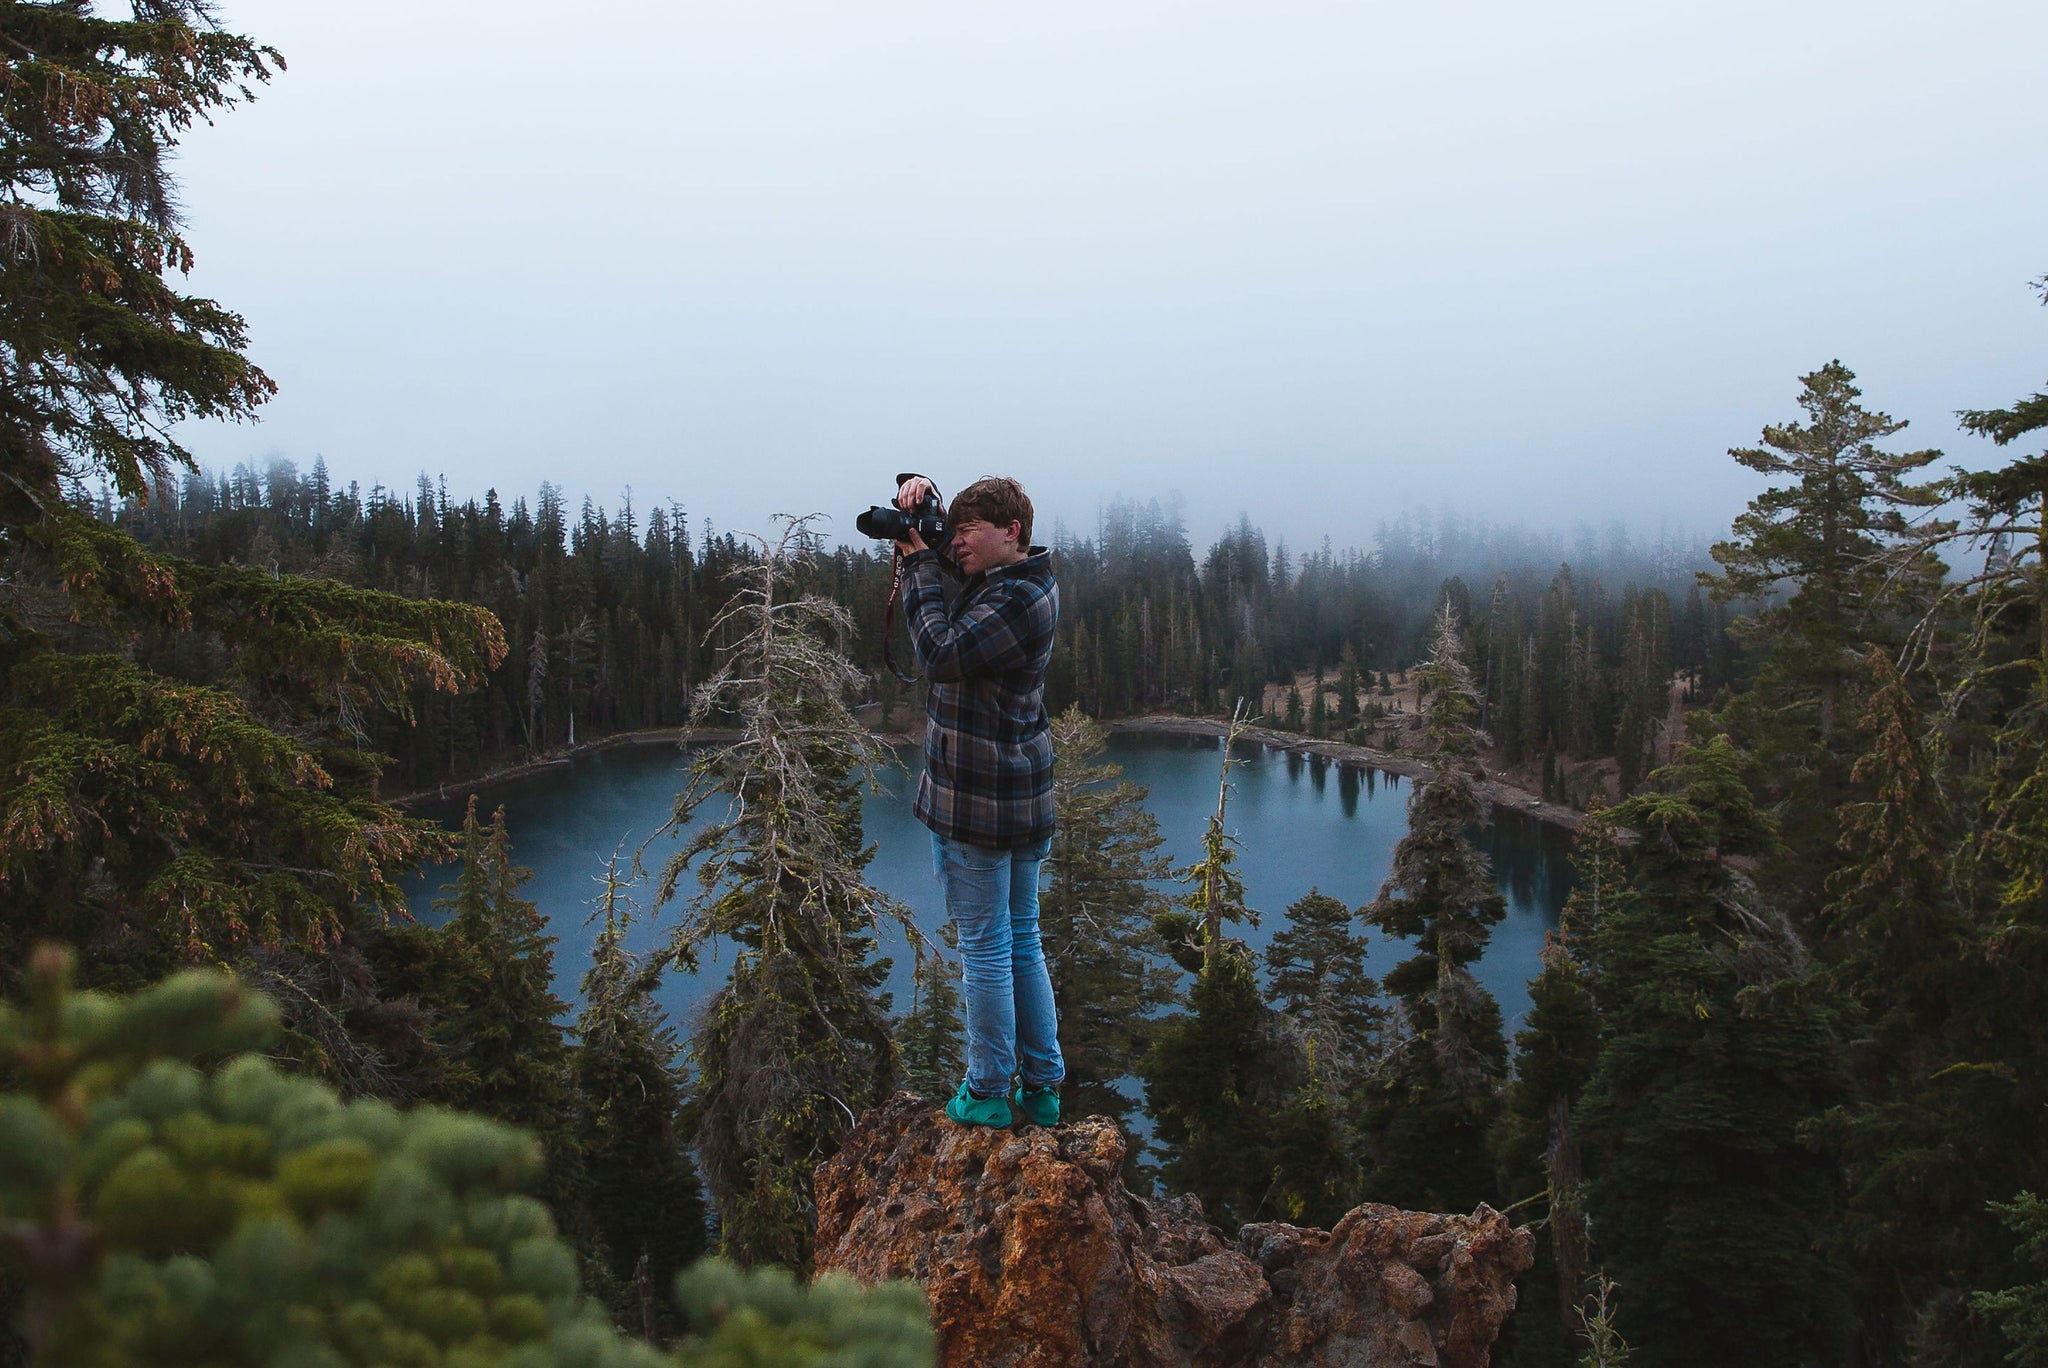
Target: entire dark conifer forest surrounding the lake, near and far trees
(1781, 1101)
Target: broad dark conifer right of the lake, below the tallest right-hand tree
(1717, 1050)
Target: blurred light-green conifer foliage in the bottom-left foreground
(167, 1211)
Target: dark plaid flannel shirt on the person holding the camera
(988, 742)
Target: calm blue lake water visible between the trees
(1302, 822)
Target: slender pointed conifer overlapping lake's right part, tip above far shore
(1428, 1111)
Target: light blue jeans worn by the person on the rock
(992, 896)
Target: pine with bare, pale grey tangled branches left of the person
(798, 1043)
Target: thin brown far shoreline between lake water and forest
(1494, 792)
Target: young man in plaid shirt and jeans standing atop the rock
(988, 783)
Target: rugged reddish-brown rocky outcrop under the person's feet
(1033, 1254)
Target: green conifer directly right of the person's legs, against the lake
(1097, 918)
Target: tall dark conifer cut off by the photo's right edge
(1936, 927)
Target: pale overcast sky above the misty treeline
(1314, 261)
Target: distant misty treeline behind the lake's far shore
(609, 613)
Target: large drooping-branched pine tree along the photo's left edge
(167, 814)
